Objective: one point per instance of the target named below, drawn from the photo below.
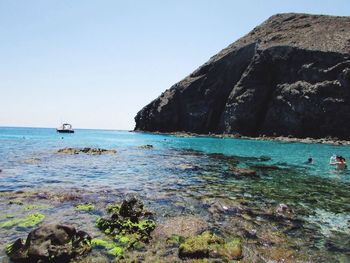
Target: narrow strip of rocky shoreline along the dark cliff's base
(282, 139)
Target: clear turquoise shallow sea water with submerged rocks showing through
(186, 176)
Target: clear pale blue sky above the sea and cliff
(96, 63)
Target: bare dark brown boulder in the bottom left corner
(51, 243)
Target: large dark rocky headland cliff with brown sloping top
(288, 76)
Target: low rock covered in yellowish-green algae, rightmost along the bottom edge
(208, 245)
